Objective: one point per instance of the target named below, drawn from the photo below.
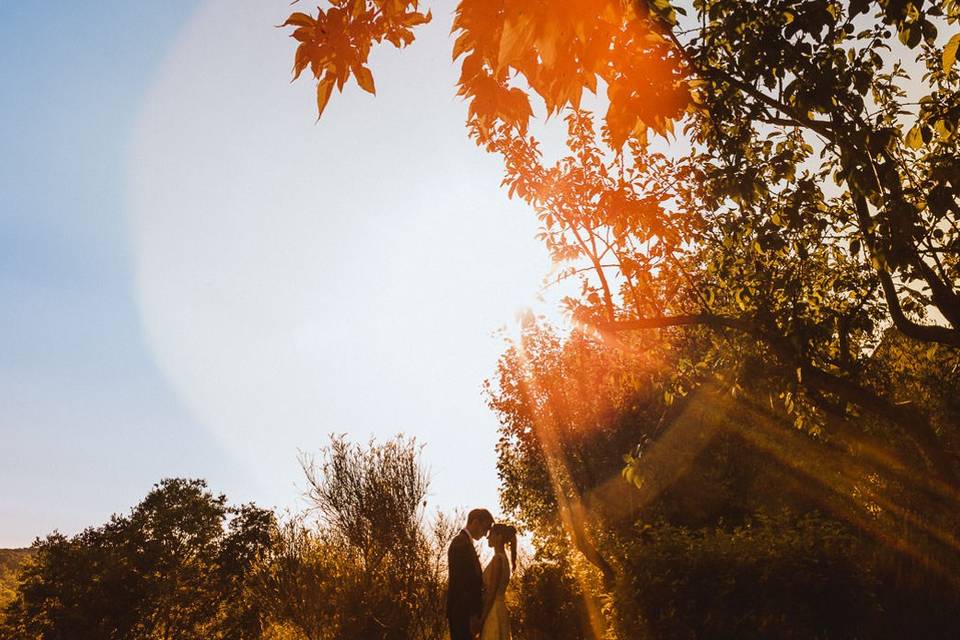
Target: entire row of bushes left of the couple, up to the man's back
(184, 564)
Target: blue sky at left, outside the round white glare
(87, 422)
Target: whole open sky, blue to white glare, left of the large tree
(199, 280)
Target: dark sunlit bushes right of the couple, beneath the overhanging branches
(729, 520)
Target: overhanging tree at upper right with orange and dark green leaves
(735, 235)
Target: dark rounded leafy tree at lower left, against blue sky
(175, 567)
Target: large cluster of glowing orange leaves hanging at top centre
(558, 51)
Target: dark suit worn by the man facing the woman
(464, 586)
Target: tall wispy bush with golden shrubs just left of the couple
(374, 567)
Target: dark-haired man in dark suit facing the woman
(465, 580)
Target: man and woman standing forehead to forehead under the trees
(475, 594)
